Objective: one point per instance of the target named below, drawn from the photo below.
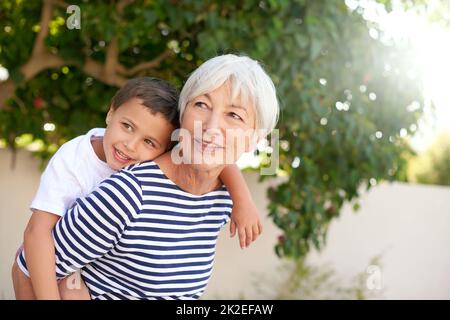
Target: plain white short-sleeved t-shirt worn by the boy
(73, 171)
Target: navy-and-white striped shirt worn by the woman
(139, 236)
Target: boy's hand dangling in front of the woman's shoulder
(245, 218)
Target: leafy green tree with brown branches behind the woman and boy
(342, 108)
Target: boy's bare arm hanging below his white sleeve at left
(40, 254)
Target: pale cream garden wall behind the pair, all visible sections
(408, 225)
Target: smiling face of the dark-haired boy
(134, 134)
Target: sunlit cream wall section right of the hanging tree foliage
(409, 226)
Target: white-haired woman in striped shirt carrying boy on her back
(150, 230)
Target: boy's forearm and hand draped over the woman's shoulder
(245, 216)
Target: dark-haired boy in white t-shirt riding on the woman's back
(142, 116)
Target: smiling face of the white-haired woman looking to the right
(217, 129)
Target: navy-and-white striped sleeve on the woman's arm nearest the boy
(94, 225)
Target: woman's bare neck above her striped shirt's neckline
(188, 177)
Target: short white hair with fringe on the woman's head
(247, 79)
